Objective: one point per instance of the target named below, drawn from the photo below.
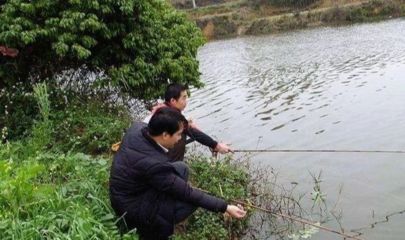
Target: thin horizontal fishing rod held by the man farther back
(313, 151)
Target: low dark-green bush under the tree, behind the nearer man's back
(89, 128)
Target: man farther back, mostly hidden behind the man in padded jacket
(176, 97)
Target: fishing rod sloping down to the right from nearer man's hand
(296, 219)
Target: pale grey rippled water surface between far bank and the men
(331, 88)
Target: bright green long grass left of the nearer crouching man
(54, 196)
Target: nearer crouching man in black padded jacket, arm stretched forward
(149, 191)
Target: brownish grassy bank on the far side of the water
(244, 18)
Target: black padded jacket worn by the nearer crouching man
(144, 185)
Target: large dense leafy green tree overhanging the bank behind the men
(135, 45)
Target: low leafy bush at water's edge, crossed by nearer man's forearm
(225, 180)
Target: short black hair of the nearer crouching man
(166, 119)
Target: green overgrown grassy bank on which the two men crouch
(54, 182)
